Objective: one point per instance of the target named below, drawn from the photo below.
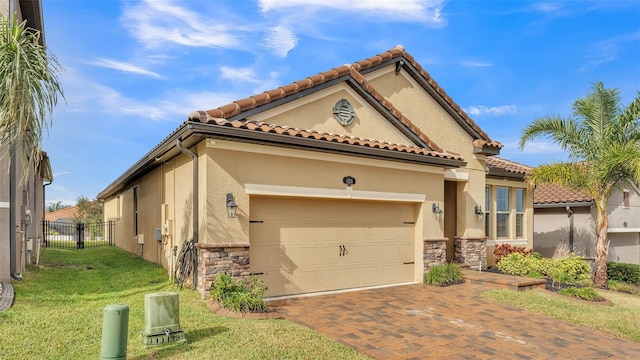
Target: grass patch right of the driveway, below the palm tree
(622, 319)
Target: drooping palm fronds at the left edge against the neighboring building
(29, 90)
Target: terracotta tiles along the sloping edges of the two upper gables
(252, 102)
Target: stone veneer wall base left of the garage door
(220, 258)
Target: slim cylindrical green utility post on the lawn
(115, 331)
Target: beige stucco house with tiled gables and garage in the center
(363, 175)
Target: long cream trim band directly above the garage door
(348, 193)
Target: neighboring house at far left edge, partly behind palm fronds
(21, 203)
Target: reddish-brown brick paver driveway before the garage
(426, 322)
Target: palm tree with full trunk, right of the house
(603, 143)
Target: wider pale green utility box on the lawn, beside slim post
(162, 319)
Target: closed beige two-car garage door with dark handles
(309, 245)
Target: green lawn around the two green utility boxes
(59, 308)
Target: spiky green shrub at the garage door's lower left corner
(241, 295)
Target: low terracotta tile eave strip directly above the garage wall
(202, 117)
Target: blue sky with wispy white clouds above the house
(135, 69)
